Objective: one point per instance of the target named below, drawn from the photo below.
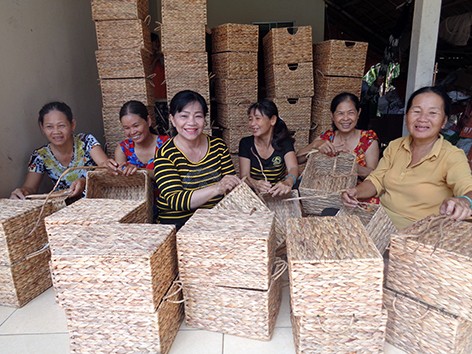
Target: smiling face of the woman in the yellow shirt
(426, 116)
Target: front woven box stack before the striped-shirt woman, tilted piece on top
(227, 265)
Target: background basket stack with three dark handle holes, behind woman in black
(289, 77)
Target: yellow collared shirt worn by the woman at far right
(410, 193)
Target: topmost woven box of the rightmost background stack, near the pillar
(340, 58)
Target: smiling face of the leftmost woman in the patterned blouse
(57, 128)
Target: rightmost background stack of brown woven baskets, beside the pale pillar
(338, 66)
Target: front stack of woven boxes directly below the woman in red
(336, 276)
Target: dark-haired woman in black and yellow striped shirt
(192, 170)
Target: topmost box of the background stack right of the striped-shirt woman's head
(232, 37)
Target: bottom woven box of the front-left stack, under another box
(95, 331)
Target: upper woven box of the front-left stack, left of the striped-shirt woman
(109, 267)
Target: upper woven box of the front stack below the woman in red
(334, 268)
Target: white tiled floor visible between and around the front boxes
(40, 328)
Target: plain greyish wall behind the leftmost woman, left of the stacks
(48, 53)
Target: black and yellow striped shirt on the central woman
(177, 178)
